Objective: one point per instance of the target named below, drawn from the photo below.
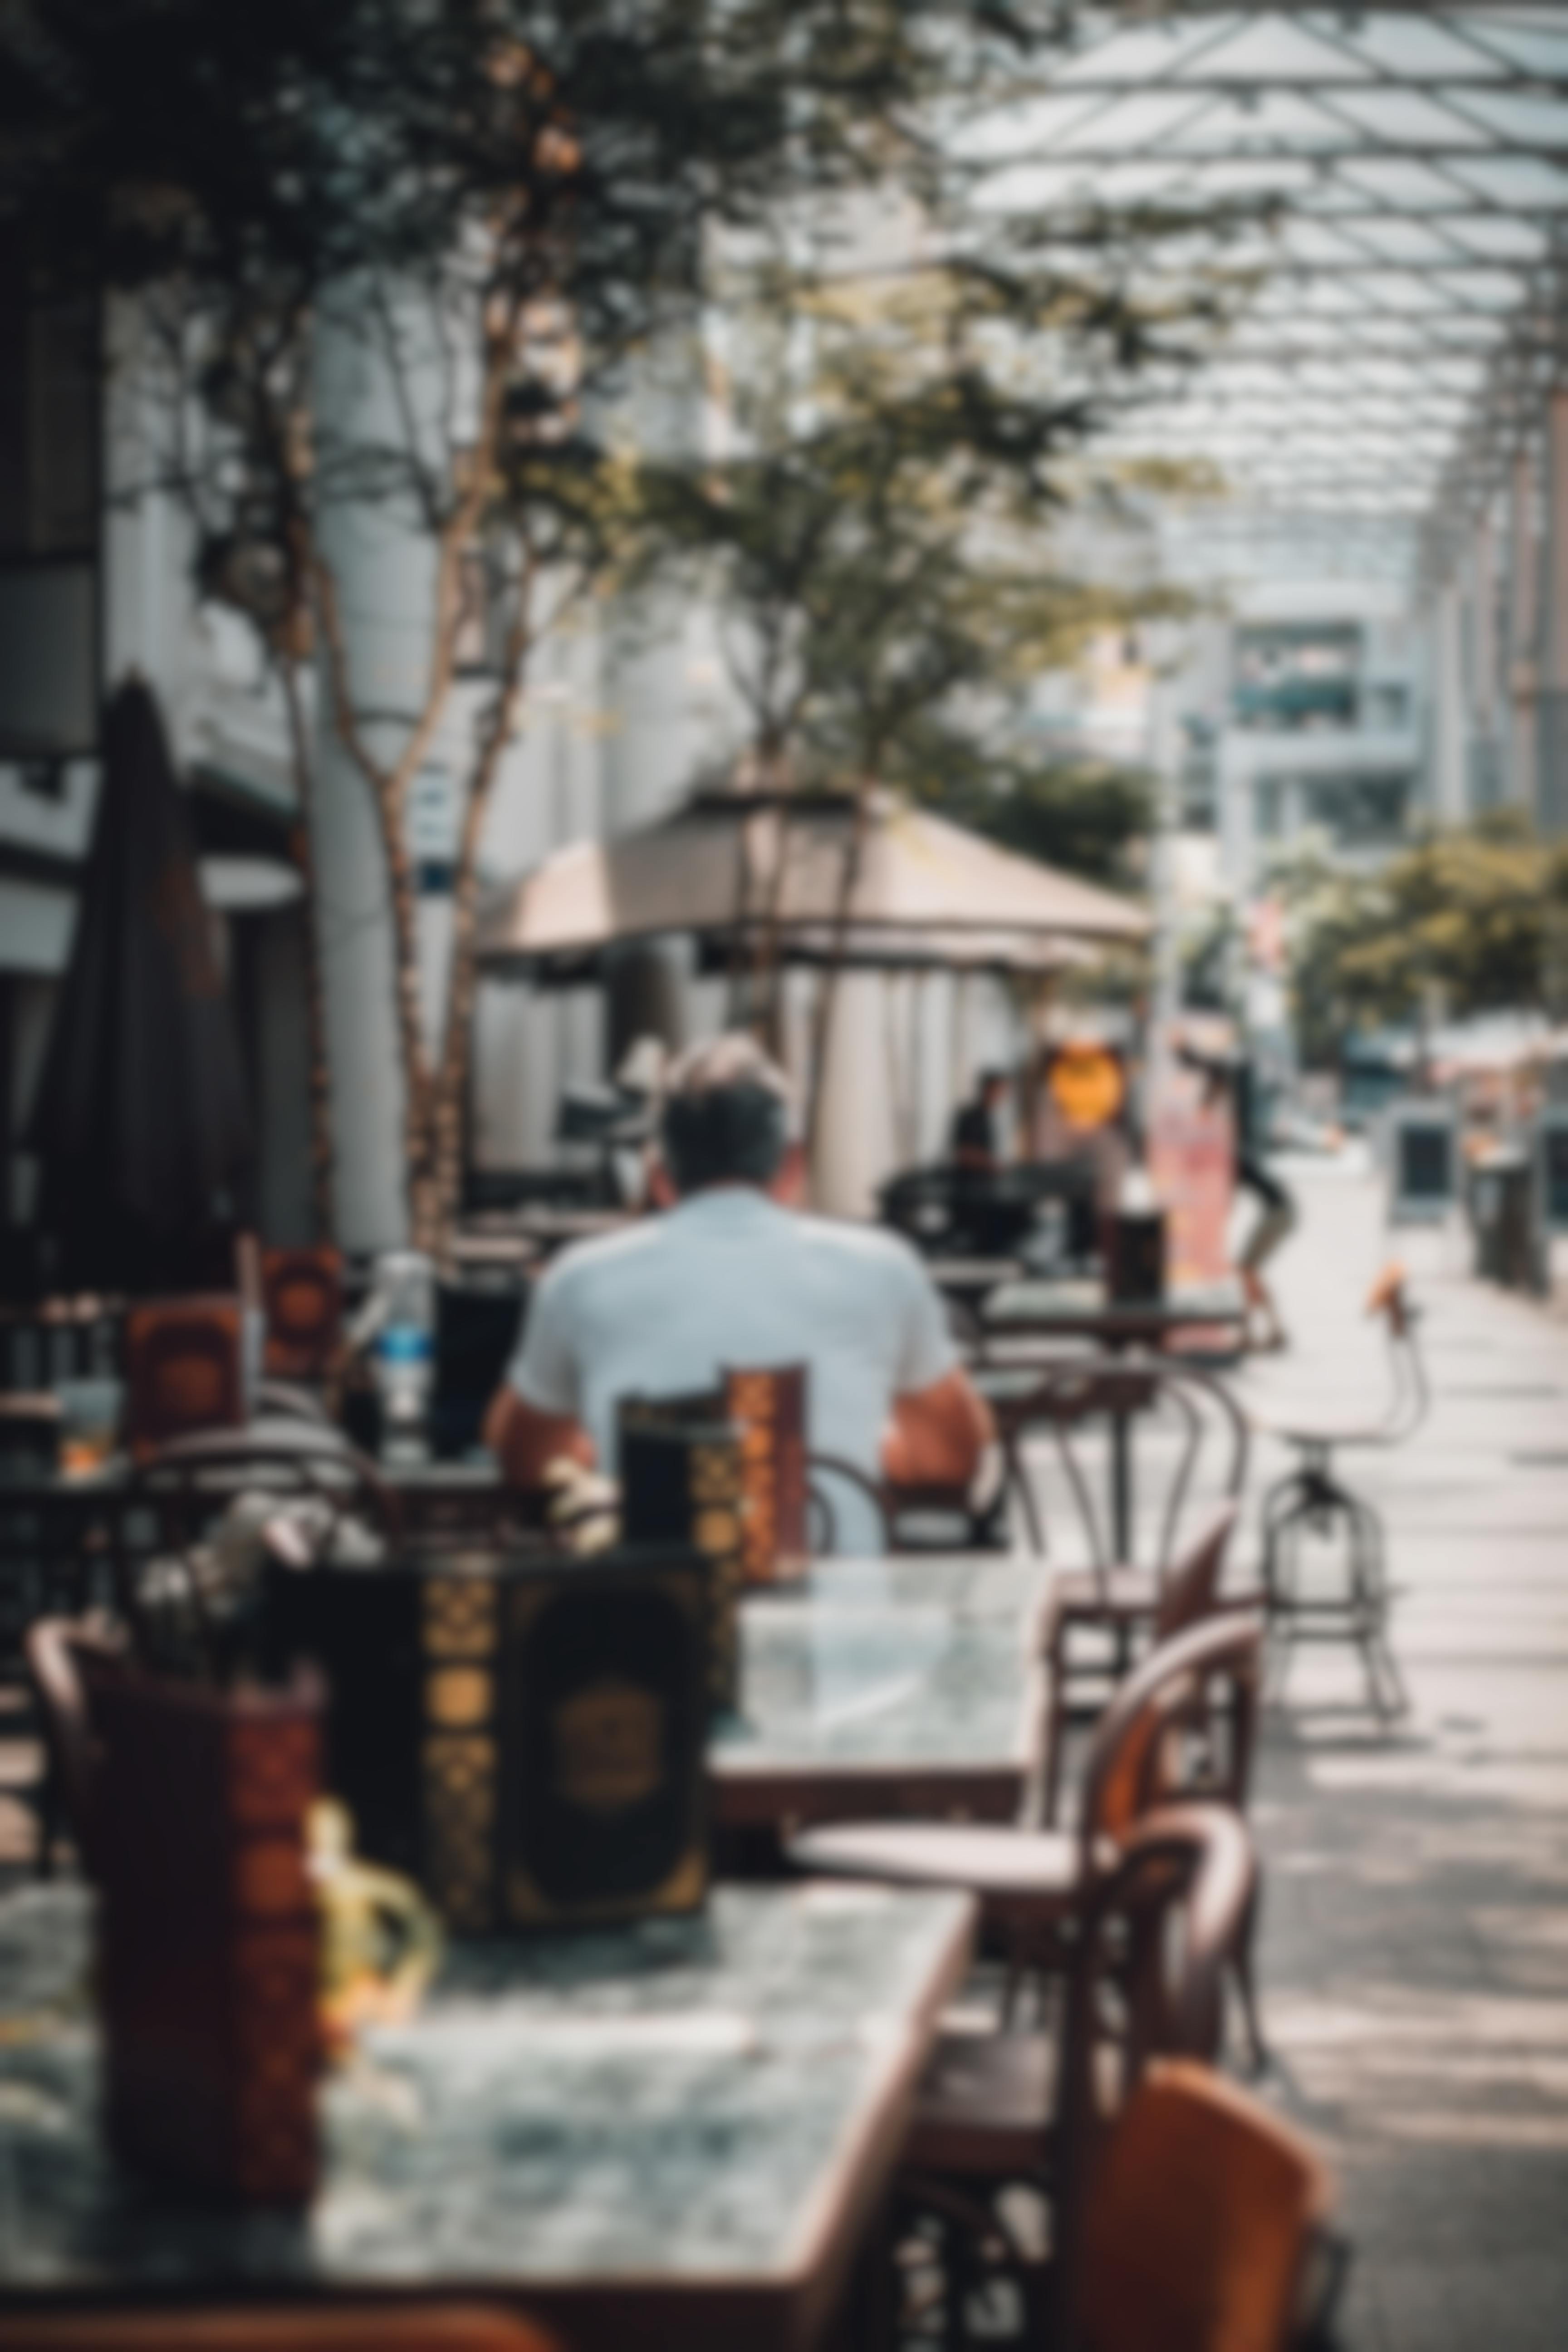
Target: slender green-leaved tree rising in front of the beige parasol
(876, 535)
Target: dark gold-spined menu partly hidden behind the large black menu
(683, 1481)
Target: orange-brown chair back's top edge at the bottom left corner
(290, 2327)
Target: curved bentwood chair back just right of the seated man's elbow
(1071, 1394)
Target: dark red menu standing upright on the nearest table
(208, 1932)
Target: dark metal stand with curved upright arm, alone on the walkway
(1313, 1499)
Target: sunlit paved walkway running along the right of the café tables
(1416, 1935)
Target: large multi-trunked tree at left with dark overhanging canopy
(525, 192)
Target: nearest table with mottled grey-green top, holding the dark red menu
(669, 2134)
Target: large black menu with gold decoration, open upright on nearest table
(525, 1739)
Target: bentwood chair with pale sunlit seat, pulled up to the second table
(1179, 1728)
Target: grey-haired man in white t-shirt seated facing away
(732, 1274)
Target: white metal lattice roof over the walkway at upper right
(1391, 185)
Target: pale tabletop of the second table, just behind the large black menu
(904, 1685)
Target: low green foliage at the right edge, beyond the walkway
(1470, 918)
